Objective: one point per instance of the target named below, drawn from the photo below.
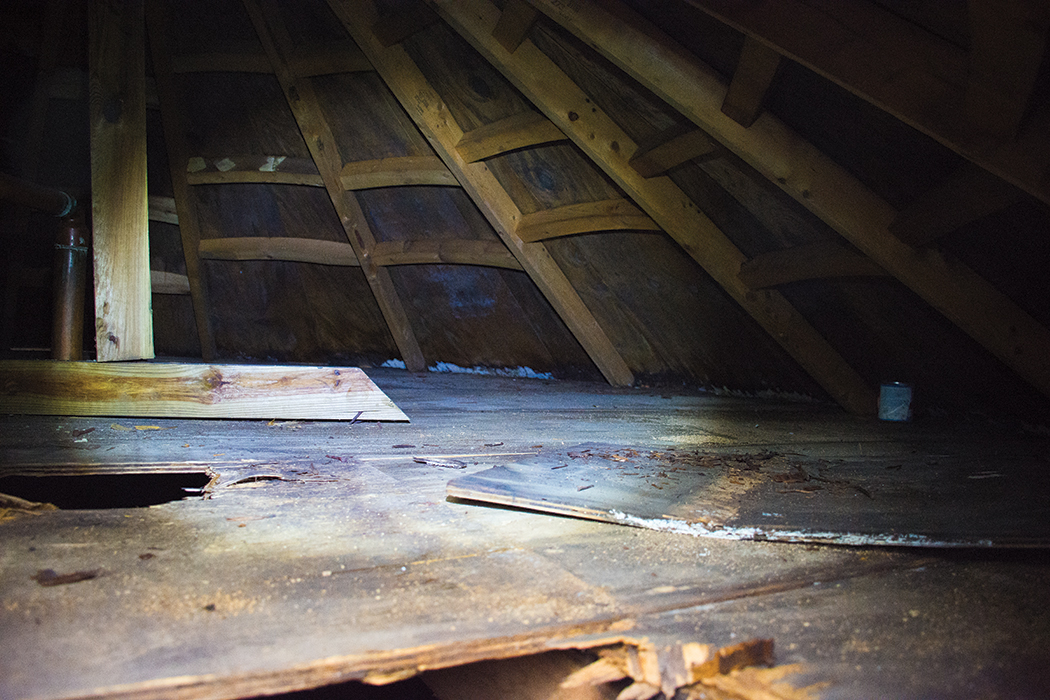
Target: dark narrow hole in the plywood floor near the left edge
(100, 492)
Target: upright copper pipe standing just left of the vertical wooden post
(71, 280)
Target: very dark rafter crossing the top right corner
(922, 80)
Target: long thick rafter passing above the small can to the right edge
(812, 179)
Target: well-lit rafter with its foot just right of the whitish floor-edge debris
(427, 109)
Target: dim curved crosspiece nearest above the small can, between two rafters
(803, 263)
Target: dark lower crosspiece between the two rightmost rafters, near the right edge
(969, 195)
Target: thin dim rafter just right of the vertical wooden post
(176, 142)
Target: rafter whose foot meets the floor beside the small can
(597, 135)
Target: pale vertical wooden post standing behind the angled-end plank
(117, 62)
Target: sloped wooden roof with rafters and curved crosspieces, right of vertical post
(795, 196)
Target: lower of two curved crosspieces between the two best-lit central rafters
(608, 216)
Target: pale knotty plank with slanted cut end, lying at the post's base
(45, 388)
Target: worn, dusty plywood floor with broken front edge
(327, 554)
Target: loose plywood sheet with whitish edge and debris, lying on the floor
(961, 501)
